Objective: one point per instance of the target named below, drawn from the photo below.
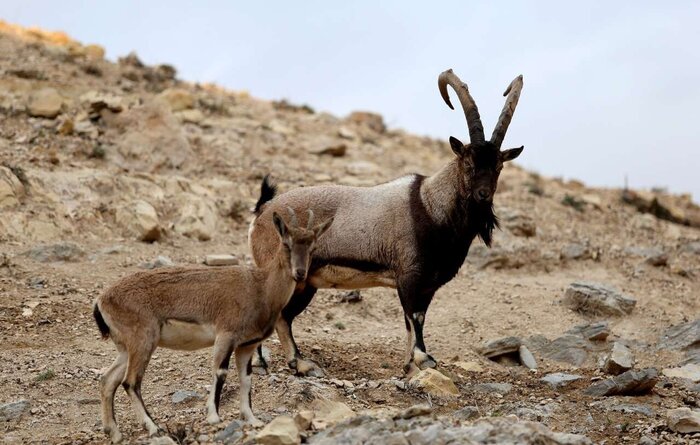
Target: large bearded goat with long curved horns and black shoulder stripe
(411, 234)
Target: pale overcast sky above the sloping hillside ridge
(611, 88)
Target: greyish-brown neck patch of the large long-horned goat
(443, 194)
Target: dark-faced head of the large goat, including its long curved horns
(481, 160)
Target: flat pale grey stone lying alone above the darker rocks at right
(597, 299)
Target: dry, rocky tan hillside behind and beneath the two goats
(107, 168)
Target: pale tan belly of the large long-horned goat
(340, 277)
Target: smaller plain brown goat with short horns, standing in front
(232, 308)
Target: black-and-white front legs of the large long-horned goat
(415, 305)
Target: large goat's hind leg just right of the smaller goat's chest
(295, 360)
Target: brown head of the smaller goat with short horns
(299, 242)
